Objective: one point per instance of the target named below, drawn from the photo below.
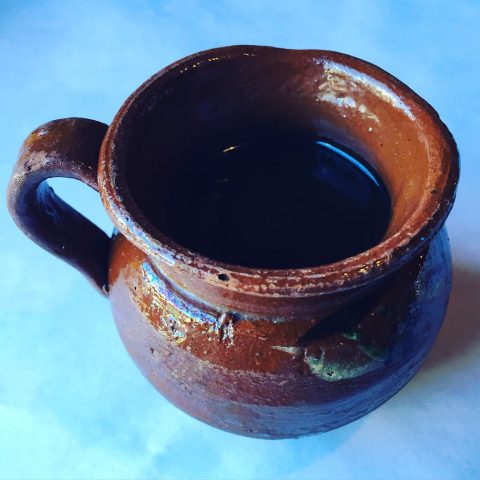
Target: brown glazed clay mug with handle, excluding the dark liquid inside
(263, 353)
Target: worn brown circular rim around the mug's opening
(385, 257)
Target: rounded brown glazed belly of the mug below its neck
(269, 378)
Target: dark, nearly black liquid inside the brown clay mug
(278, 203)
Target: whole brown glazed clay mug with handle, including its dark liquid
(278, 266)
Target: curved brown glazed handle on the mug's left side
(62, 148)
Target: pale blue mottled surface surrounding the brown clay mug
(72, 404)
